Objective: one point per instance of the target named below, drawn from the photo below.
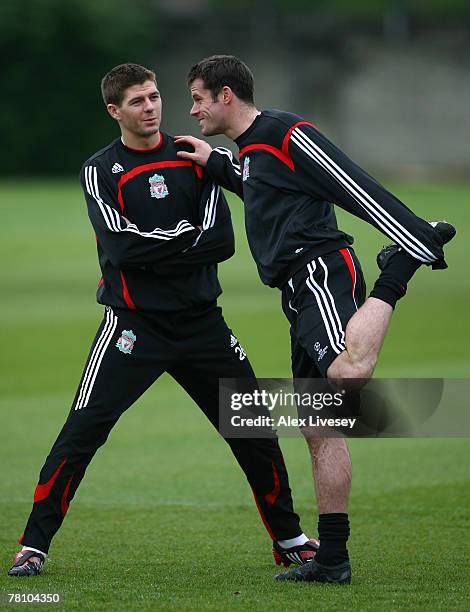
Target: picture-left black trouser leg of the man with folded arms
(111, 382)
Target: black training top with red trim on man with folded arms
(161, 226)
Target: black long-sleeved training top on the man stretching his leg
(289, 177)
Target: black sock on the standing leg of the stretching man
(333, 533)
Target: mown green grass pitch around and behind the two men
(144, 532)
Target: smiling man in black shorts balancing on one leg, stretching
(289, 176)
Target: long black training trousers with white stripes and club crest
(130, 351)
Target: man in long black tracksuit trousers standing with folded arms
(161, 226)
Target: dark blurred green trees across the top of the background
(53, 54)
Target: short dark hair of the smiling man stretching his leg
(220, 70)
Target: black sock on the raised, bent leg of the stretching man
(392, 282)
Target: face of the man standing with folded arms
(140, 111)
